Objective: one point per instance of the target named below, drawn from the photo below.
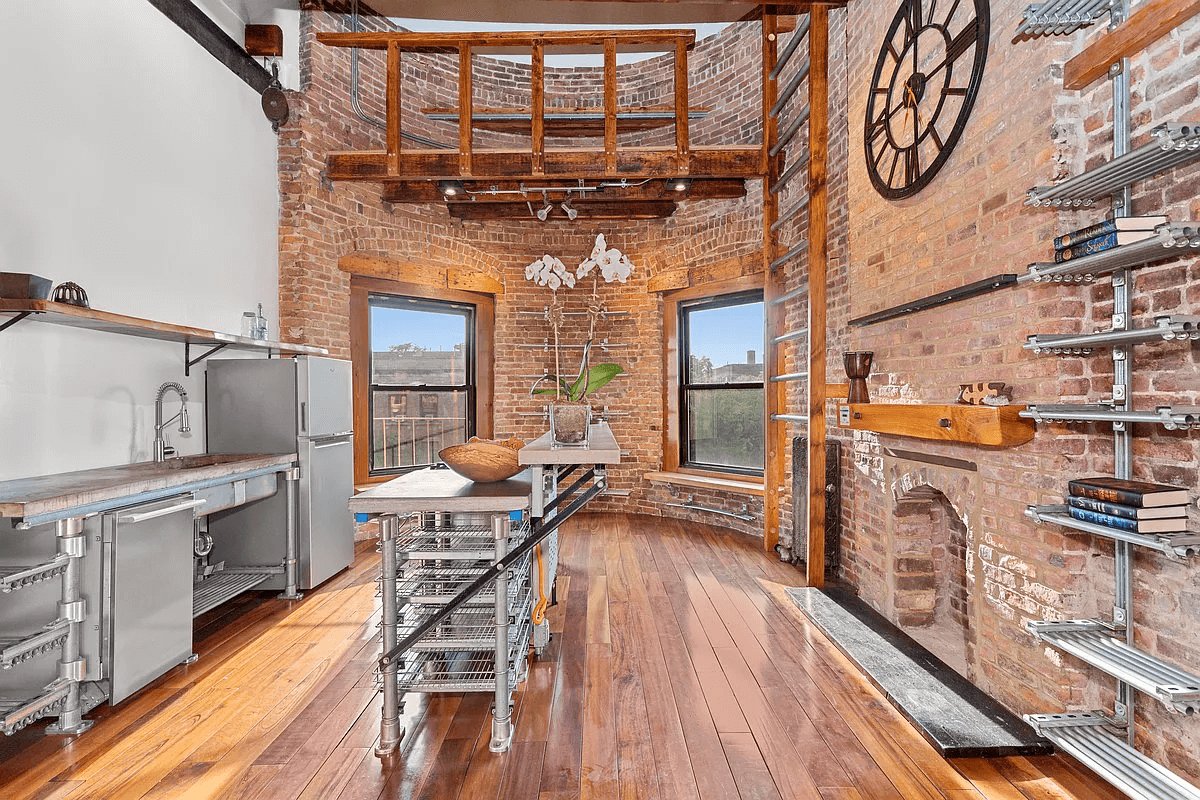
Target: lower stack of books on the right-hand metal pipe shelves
(1137, 507)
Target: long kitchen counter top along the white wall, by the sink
(49, 498)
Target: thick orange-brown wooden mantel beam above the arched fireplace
(979, 425)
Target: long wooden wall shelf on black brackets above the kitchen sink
(61, 314)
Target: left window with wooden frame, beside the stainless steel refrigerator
(419, 374)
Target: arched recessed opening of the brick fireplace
(932, 591)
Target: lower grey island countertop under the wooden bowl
(442, 490)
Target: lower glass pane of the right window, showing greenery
(725, 428)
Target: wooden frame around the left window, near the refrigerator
(362, 287)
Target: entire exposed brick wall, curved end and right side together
(971, 222)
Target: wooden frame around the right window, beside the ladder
(671, 360)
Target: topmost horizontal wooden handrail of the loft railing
(655, 40)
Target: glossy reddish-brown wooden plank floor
(677, 672)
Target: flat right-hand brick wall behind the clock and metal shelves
(971, 222)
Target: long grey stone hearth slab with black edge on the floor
(957, 718)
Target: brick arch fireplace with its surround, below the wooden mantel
(932, 582)
